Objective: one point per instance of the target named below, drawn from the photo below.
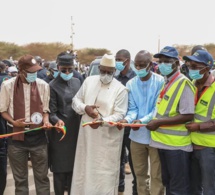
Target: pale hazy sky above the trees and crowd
(113, 24)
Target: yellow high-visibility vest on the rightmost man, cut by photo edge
(205, 111)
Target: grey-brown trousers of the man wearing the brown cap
(18, 158)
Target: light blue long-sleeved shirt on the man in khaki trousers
(142, 101)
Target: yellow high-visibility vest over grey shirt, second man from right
(176, 135)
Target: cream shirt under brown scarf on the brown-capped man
(6, 96)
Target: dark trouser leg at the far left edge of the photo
(3, 166)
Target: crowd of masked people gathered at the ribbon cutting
(160, 117)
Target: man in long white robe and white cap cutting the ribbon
(101, 98)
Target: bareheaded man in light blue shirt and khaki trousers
(143, 93)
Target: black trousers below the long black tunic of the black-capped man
(60, 179)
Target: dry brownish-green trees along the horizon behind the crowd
(49, 51)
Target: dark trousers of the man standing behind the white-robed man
(126, 144)
